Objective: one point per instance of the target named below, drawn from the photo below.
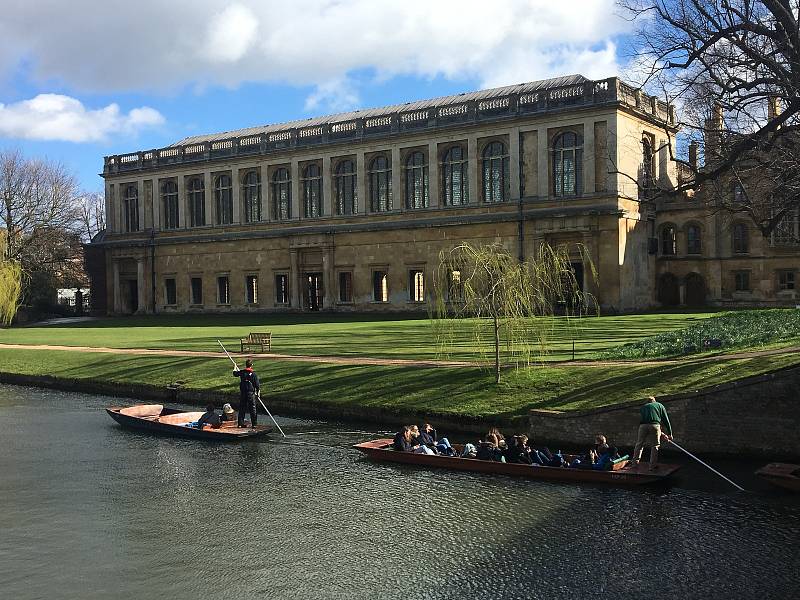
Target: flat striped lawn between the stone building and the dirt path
(381, 336)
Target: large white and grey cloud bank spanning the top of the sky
(152, 45)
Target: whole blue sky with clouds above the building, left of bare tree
(80, 80)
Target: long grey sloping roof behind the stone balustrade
(520, 88)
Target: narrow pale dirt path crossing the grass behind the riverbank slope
(401, 362)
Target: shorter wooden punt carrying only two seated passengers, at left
(170, 421)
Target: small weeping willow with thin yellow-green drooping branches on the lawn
(503, 302)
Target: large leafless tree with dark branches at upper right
(733, 69)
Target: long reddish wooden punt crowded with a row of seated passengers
(382, 450)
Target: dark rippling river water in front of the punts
(90, 510)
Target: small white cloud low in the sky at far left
(63, 118)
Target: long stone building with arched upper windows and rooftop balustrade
(350, 212)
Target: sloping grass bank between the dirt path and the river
(435, 391)
